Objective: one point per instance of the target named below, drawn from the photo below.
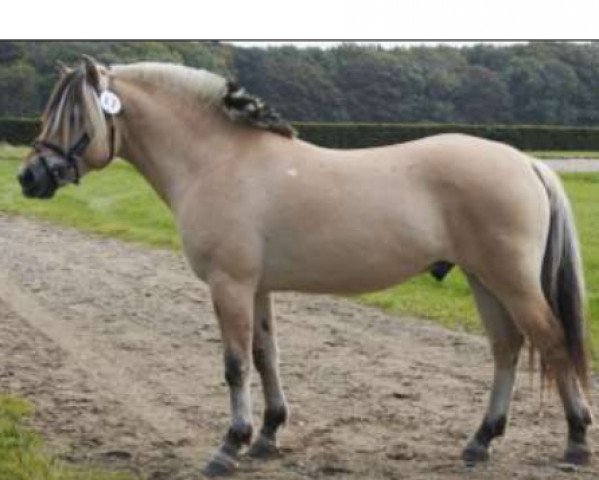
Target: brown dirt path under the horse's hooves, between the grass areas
(117, 347)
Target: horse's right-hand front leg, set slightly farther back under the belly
(266, 361)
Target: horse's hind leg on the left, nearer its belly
(506, 342)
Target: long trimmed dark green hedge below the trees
(20, 131)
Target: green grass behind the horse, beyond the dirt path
(118, 202)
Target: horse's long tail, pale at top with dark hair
(562, 276)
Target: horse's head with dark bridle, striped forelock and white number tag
(77, 131)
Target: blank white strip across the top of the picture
(317, 20)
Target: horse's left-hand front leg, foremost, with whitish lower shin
(234, 307)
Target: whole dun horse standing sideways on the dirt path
(258, 210)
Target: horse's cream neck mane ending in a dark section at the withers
(209, 89)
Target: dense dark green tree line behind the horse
(552, 83)
